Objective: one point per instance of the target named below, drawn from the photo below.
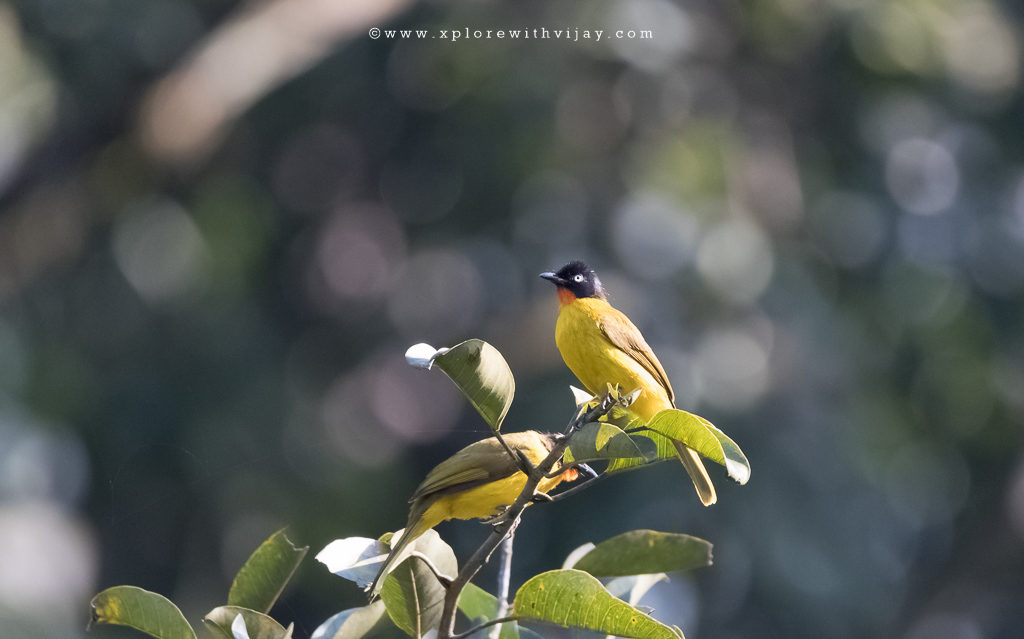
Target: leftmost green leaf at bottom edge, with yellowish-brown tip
(142, 610)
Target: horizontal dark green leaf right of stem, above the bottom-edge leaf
(646, 552)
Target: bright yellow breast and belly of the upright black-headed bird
(596, 362)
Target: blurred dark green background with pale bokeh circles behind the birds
(223, 224)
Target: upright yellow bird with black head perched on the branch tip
(602, 347)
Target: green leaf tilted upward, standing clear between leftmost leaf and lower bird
(266, 574)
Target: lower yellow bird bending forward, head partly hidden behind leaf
(477, 483)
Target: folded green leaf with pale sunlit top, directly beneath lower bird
(412, 593)
